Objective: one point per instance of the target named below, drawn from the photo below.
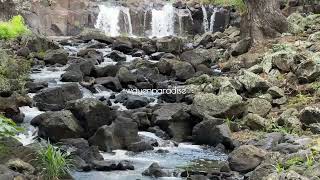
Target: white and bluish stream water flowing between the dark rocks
(172, 156)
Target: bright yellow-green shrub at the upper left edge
(13, 28)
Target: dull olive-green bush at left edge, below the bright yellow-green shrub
(13, 72)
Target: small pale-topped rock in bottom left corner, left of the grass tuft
(20, 166)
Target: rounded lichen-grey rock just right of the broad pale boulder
(259, 106)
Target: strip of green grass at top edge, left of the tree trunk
(237, 4)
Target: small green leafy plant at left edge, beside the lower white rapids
(7, 127)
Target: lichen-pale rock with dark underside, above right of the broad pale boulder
(253, 82)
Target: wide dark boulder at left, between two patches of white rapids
(55, 99)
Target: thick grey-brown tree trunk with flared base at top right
(263, 20)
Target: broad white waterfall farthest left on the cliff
(108, 20)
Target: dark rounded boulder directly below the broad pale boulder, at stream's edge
(212, 132)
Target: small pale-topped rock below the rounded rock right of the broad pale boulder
(255, 122)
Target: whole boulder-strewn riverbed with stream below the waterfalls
(244, 114)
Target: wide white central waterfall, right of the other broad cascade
(163, 21)
